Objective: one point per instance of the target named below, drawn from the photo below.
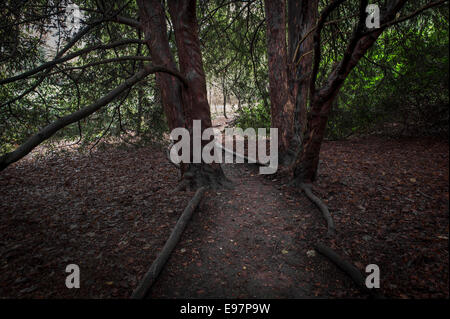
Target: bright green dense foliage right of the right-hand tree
(401, 86)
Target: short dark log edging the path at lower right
(348, 268)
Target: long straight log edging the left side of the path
(150, 277)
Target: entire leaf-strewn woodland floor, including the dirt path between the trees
(110, 213)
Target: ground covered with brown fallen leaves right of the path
(389, 200)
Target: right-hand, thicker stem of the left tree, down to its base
(184, 20)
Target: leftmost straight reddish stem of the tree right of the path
(281, 101)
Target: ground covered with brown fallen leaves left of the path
(109, 213)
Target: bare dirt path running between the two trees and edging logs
(243, 243)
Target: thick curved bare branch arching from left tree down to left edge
(62, 122)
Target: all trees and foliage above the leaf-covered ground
(296, 65)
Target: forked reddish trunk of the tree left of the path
(182, 105)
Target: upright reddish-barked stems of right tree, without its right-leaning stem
(290, 69)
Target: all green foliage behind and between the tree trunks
(401, 85)
